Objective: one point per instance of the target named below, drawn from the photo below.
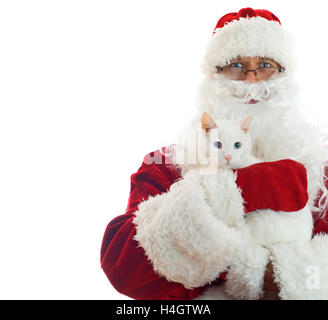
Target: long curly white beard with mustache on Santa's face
(279, 130)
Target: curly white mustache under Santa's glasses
(245, 91)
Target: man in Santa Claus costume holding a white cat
(170, 243)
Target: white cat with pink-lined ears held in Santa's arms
(229, 147)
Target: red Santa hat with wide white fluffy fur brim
(245, 33)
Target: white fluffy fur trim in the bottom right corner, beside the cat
(301, 269)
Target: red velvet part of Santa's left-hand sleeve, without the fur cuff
(122, 259)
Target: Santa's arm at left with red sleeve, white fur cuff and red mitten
(169, 244)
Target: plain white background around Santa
(87, 88)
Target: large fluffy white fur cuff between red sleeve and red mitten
(181, 230)
